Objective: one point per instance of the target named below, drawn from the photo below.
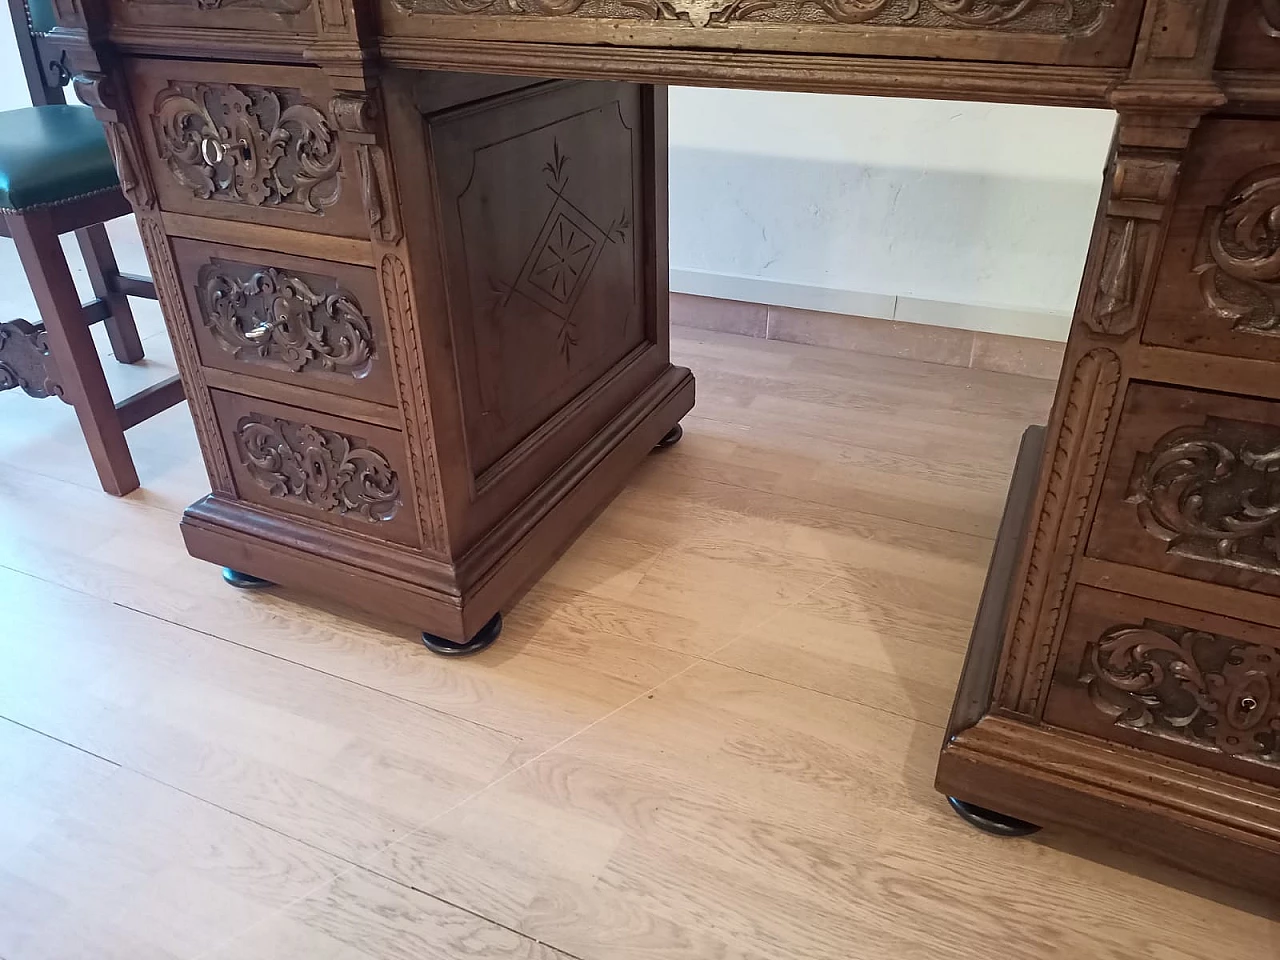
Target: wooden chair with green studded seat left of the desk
(57, 177)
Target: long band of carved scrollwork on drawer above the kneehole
(1055, 17)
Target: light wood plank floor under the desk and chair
(708, 734)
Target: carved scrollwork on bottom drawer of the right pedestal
(1215, 691)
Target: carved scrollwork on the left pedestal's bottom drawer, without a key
(317, 468)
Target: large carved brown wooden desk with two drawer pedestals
(419, 301)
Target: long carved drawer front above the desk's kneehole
(1099, 33)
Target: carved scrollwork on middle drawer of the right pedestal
(1213, 493)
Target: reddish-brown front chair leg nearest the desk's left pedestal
(72, 349)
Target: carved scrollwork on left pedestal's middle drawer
(286, 319)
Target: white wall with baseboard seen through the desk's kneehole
(909, 209)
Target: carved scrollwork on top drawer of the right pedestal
(1241, 266)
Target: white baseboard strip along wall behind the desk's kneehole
(963, 317)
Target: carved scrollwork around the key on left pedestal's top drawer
(249, 145)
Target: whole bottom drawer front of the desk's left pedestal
(337, 472)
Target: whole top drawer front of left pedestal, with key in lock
(249, 143)
